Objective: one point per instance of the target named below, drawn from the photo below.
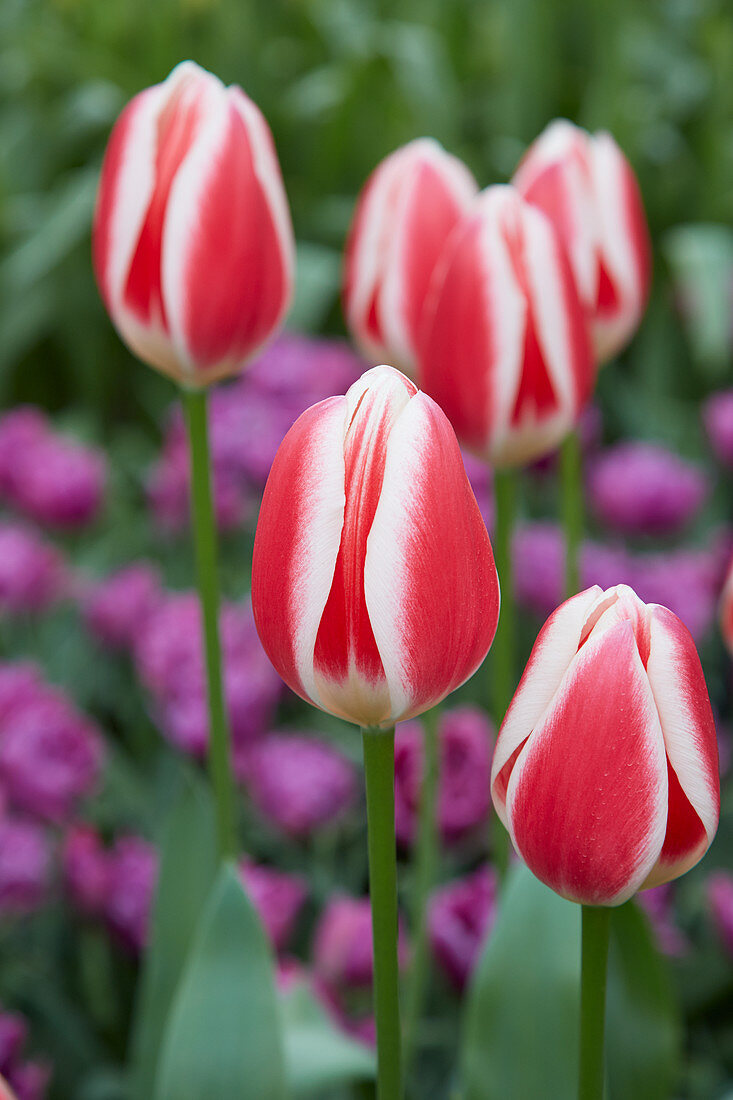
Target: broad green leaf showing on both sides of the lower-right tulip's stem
(522, 1010)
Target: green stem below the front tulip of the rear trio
(505, 647)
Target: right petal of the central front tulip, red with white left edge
(426, 551)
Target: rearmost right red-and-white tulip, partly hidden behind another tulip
(586, 186)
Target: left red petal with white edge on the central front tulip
(298, 543)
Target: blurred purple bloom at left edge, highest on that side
(48, 478)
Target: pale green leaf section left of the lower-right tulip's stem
(521, 1021)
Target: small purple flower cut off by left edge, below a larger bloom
(25, 865)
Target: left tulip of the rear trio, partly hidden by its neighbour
(404, 215)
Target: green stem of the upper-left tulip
(205, 540)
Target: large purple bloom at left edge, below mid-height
(50, 756)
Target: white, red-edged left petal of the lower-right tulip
(555, 648)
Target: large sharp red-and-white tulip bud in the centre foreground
(374, 584)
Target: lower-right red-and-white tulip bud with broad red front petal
(606, 768)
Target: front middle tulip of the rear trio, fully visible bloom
(505, 348)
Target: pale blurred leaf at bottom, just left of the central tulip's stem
(319, 1057)
